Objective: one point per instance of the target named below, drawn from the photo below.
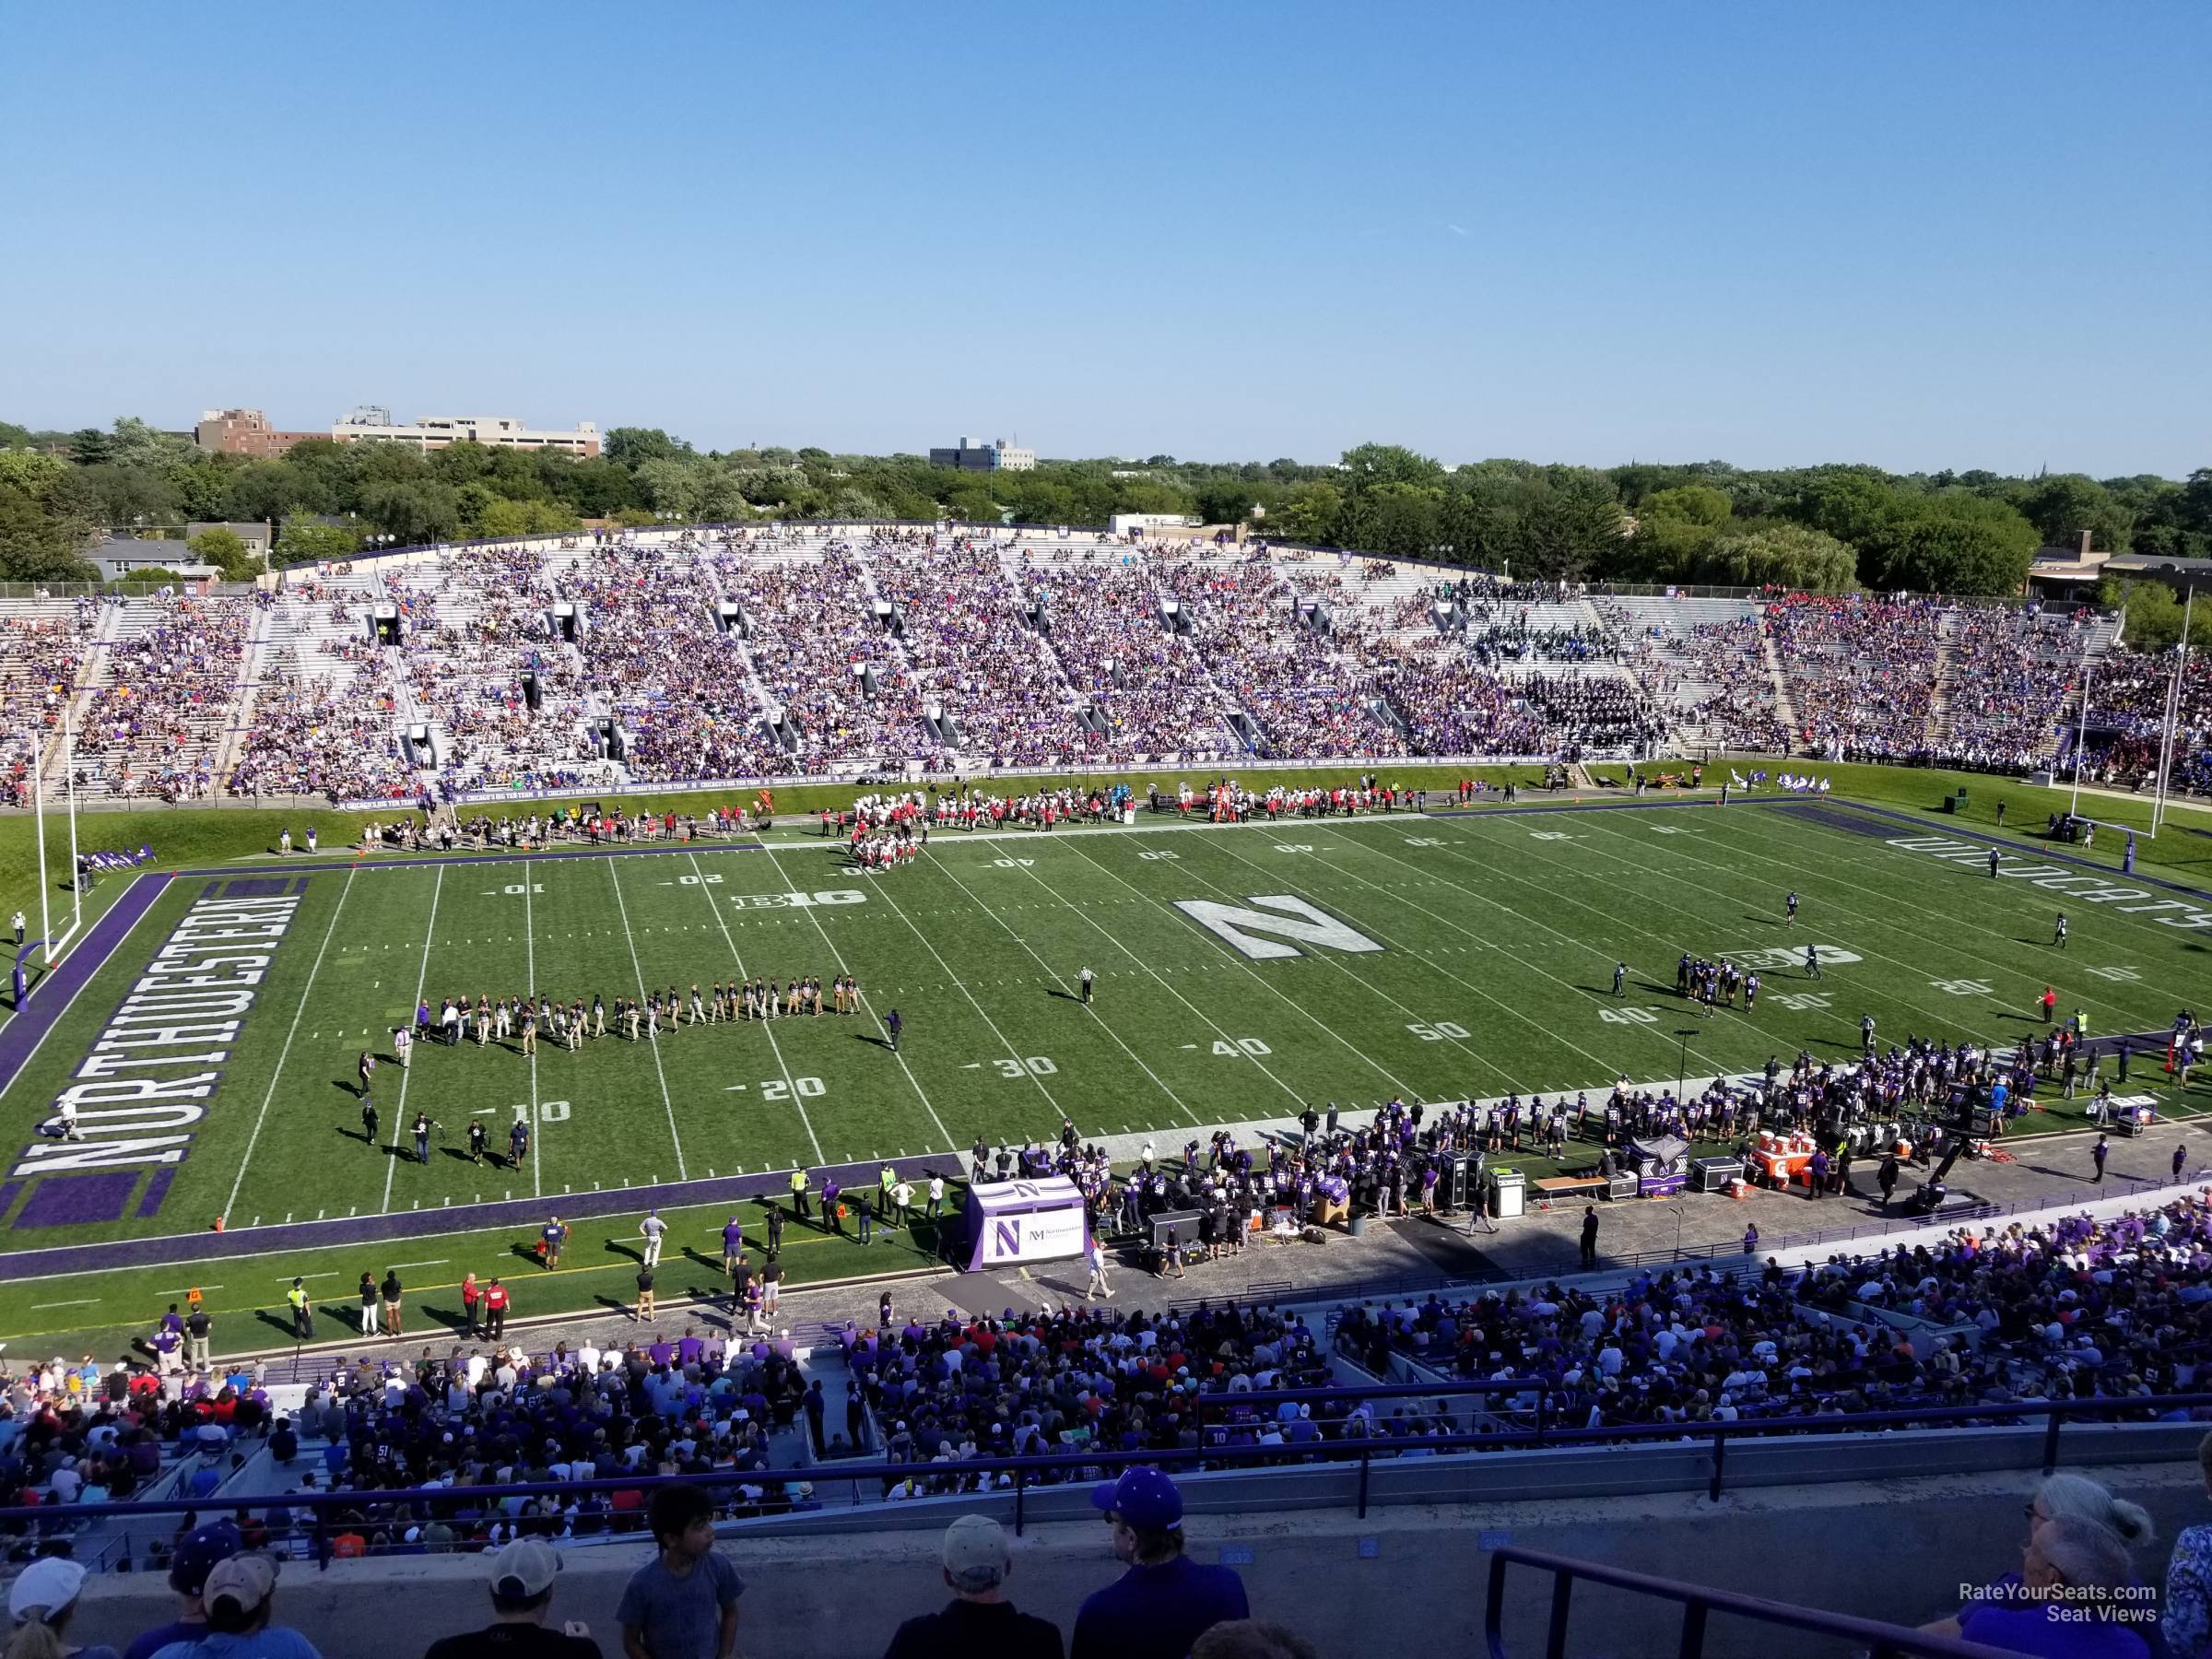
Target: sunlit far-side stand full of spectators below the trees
(793, 651)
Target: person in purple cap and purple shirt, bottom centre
(1167, 1600)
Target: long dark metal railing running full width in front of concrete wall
(1067, 1470)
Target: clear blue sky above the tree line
(1965, 236)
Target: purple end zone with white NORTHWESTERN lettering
(152, 1076)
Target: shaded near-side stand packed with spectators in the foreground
(1985, 1355)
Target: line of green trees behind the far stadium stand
(1815, 528)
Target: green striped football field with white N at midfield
(1242, 974)
